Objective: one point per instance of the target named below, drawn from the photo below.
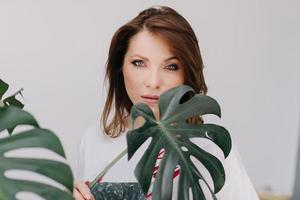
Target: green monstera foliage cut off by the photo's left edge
(11, 116)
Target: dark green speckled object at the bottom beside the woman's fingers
(117, 191)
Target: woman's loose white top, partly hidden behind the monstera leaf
(96, 150)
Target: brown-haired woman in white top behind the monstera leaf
(154, 52)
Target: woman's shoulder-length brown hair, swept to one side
(177, 32)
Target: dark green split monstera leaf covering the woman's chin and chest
(172, 132)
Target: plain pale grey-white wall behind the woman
(56, 50)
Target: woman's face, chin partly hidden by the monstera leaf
(150, 69)
